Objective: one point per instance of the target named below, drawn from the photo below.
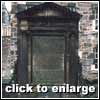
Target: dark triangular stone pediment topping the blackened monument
(48, 9)
